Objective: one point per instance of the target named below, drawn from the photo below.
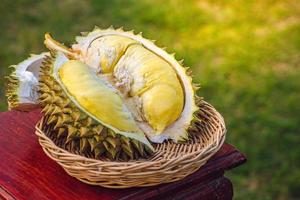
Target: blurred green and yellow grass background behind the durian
(246, 55)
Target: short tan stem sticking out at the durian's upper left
(54, 45)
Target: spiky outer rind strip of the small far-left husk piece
(12, 89)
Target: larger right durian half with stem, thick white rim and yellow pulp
(155, 87)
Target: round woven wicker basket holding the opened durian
(171, 162)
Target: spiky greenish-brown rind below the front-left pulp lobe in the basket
(79, 131)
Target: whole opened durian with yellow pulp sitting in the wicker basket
(113, 94)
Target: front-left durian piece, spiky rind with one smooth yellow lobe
(86, 113)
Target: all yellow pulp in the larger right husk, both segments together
(153, 79)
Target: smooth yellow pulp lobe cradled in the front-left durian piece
(97, 99)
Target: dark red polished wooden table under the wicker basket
(27, 173)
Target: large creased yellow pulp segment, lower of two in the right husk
(155, 82)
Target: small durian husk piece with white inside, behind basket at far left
(22, 83)
